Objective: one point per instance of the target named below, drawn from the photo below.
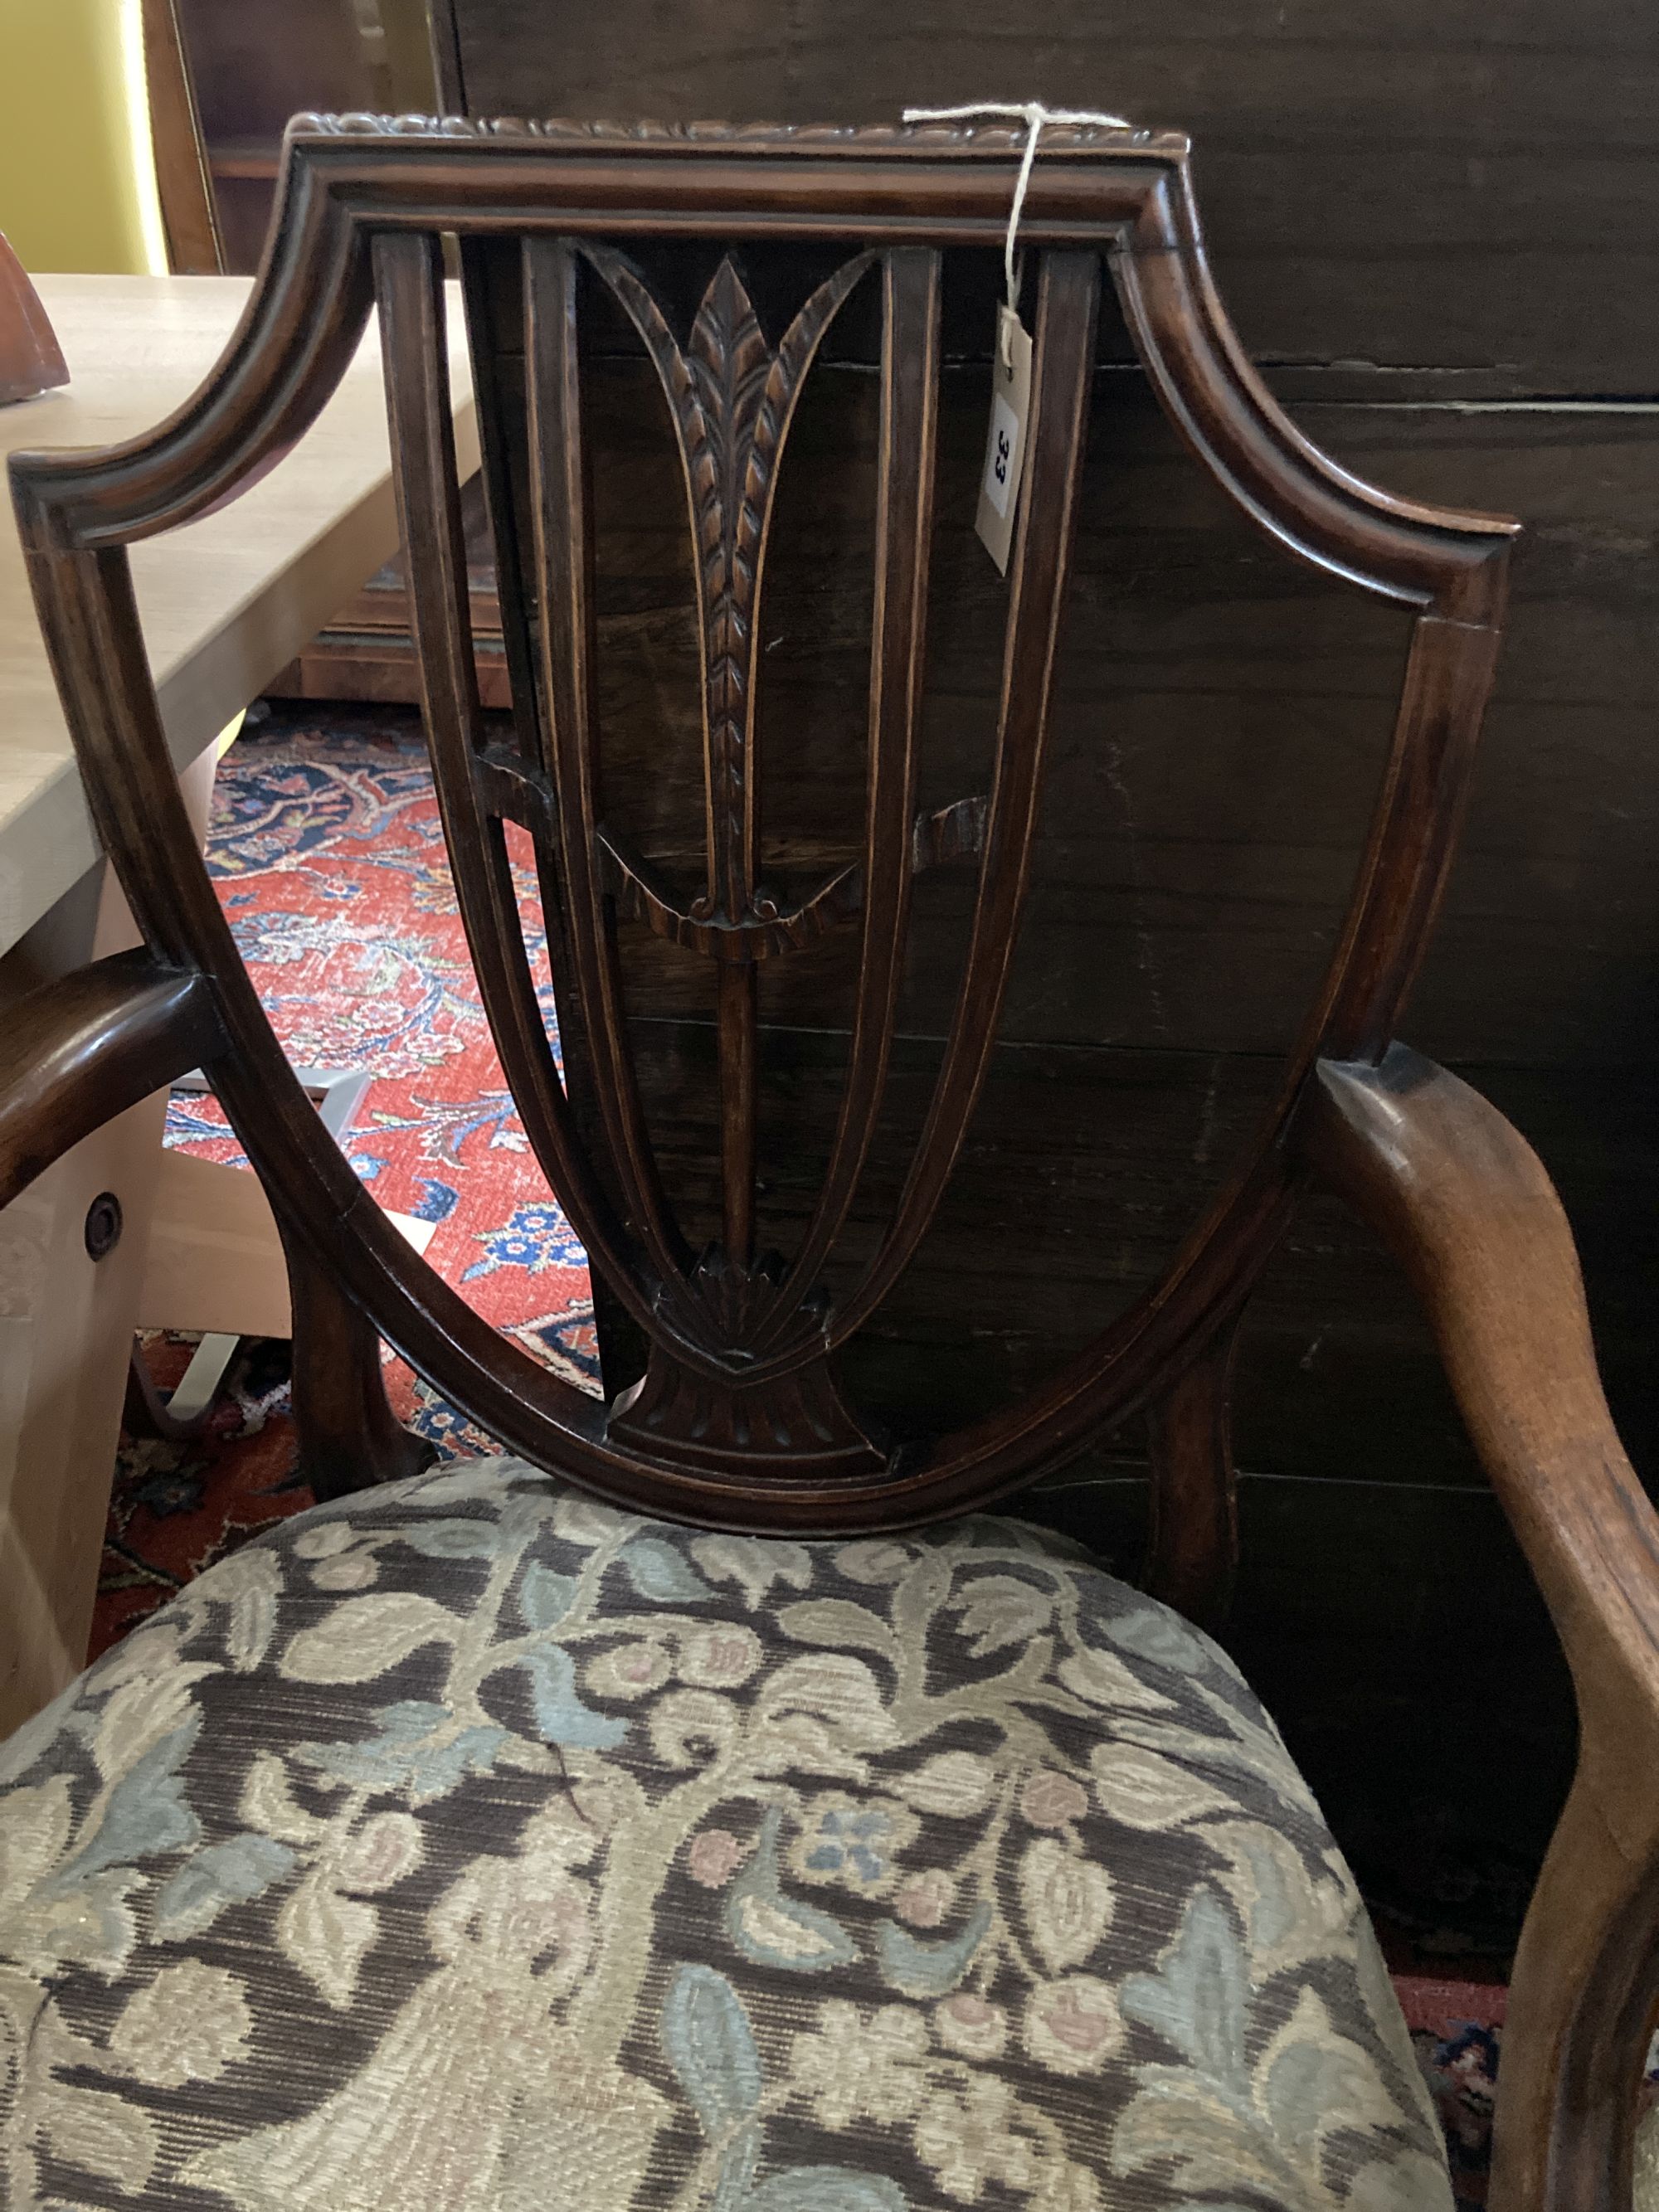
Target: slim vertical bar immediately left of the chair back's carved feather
(565, 561)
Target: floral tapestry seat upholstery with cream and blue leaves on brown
(474, 1846)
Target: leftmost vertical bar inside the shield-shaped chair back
(408, 280)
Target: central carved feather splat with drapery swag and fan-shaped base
(733, 401)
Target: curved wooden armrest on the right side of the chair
(1470, 1211)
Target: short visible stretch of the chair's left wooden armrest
(74, 1054)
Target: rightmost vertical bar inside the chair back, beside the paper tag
(1063, 366)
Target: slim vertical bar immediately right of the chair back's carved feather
(897, 671)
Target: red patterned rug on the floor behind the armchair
(328, 855)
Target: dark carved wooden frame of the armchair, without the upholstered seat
(740, 1421)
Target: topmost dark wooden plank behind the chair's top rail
(1428, 191)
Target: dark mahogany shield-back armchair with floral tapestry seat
(711, 1804)
